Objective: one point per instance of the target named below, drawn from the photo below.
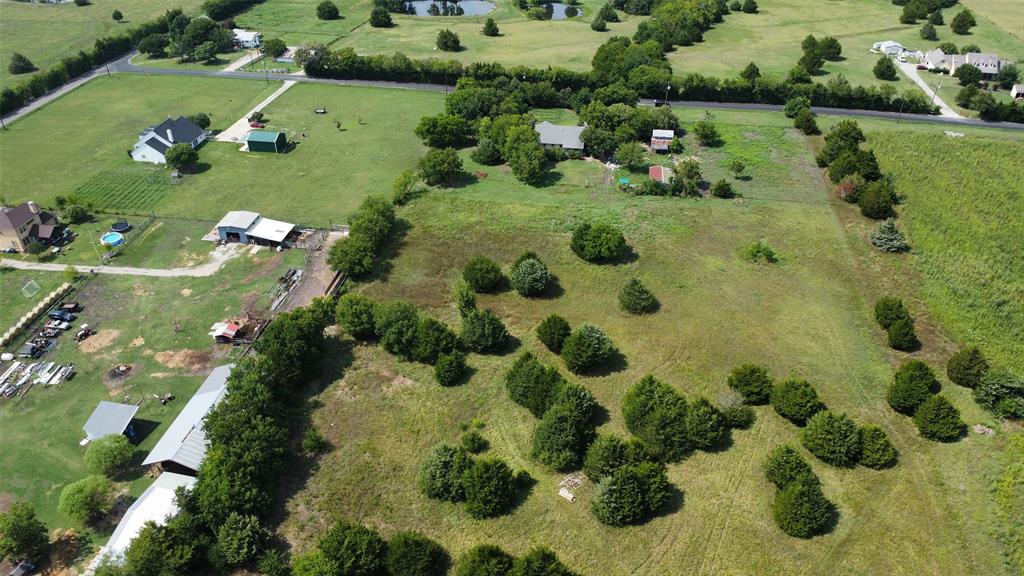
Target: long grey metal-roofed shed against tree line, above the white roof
(185, 442)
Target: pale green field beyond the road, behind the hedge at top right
(772, 39)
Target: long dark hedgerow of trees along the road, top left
(72, 67)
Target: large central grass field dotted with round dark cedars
(806, 316)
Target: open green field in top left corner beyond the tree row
(47, 33)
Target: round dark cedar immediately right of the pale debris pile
(631, 495)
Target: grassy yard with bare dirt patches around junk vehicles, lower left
(157, 325)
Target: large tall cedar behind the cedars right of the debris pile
(657, 415)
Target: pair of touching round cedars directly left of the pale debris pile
(487, 486)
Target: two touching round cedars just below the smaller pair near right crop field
(914, 392)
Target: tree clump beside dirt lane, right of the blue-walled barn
(369, 227)
